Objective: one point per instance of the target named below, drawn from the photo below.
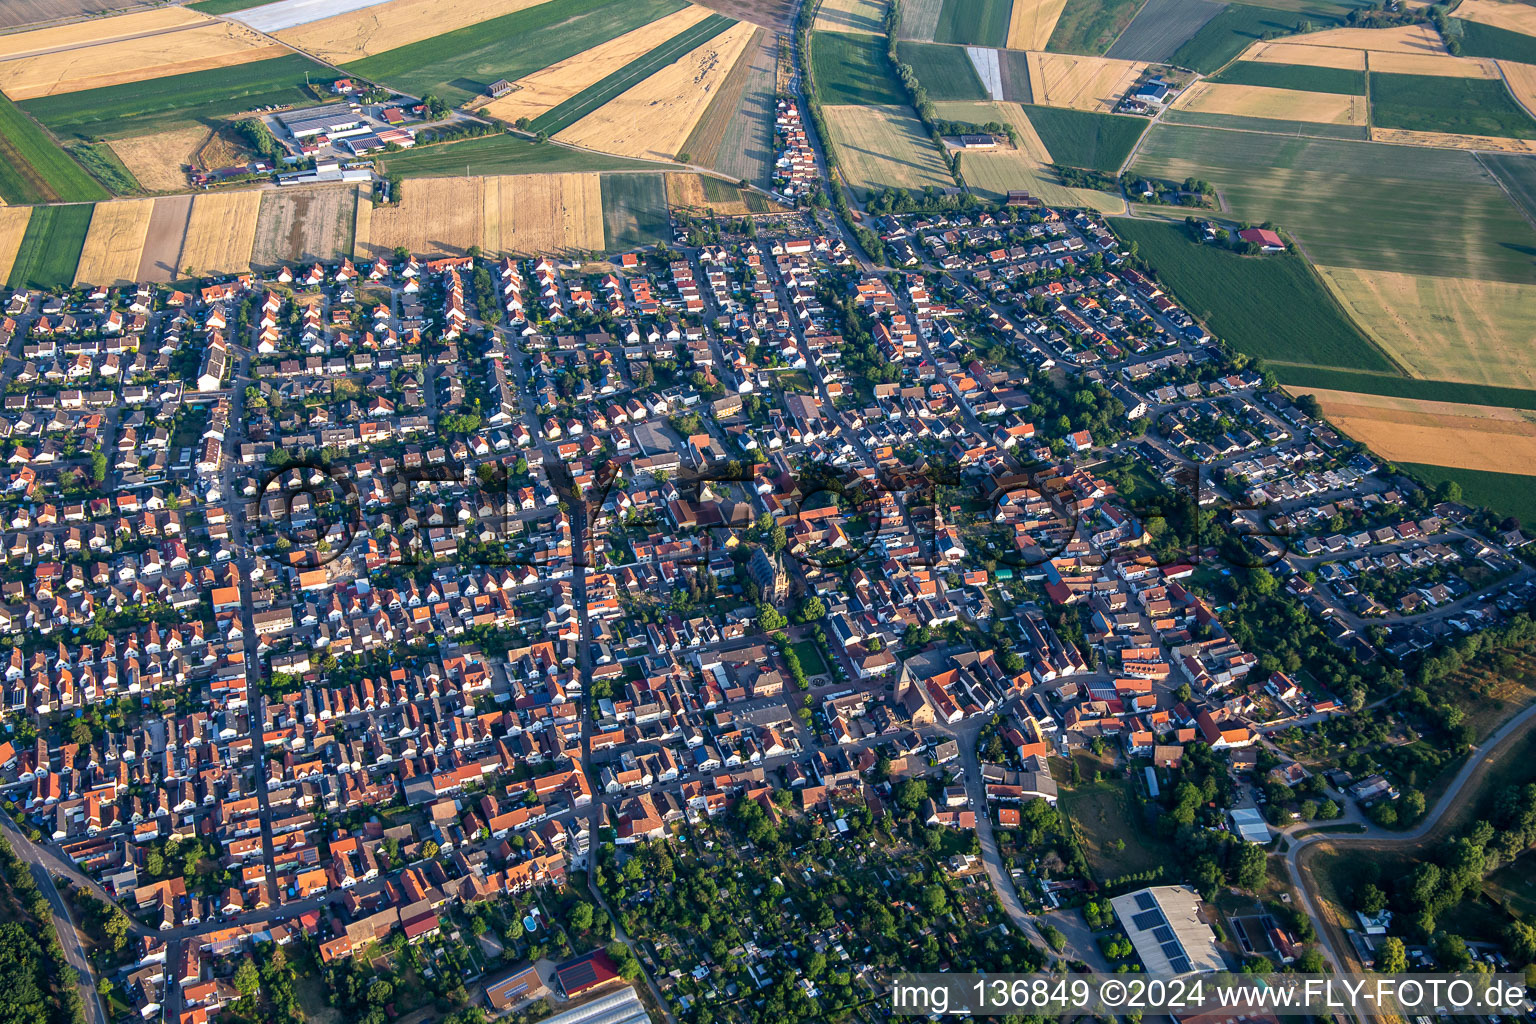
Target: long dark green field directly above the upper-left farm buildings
(179, 101)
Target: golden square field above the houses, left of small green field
(545, 214)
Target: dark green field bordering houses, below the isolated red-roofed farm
(1273, 308)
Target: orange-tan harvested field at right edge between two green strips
(1438, 434)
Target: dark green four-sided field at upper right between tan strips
(1435, 104)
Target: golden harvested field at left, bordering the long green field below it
(114, 64)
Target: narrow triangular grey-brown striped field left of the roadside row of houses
(735, 136)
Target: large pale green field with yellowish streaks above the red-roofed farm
(1411, 210)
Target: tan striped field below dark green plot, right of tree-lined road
(886, 147)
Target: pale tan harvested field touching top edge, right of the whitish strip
(359, 35)
